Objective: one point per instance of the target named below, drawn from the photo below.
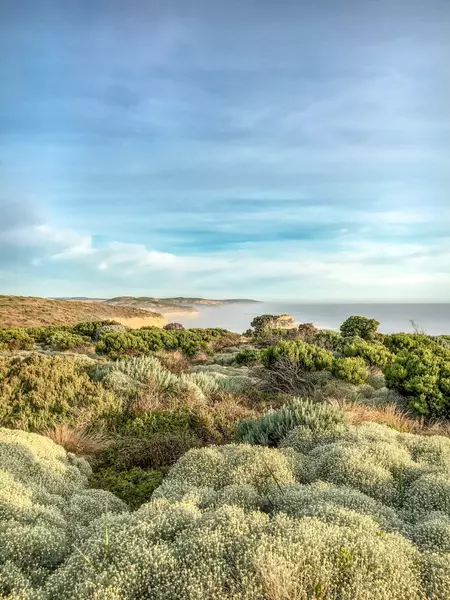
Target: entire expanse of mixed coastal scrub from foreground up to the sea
(289, 464)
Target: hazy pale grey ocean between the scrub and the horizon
(433, 318)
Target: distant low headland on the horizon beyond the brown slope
(170, 305)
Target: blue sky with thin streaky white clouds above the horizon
(277, 150)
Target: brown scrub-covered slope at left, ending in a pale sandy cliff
(25, 311)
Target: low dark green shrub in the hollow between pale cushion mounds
(134, 486)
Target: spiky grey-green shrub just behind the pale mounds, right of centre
(272, 427)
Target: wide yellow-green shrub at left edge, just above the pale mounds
(39, 392)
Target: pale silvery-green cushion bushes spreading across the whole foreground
(362, 513)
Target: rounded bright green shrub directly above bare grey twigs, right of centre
(306, 356)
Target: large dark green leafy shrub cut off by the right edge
(422, 375)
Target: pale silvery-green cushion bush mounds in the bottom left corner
(44, 508)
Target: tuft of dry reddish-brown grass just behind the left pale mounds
(80, 441)
